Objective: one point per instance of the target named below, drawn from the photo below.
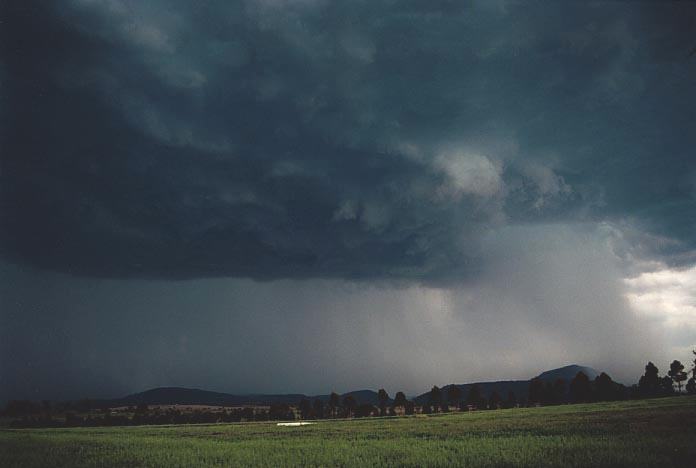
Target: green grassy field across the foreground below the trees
(659, 432)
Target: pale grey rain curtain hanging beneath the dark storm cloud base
(550, 295)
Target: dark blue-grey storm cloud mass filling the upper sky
(308, 138)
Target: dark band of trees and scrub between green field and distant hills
(580, 389)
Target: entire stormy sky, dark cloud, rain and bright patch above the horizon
(280, 196)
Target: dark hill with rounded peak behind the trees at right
(519, 387)
